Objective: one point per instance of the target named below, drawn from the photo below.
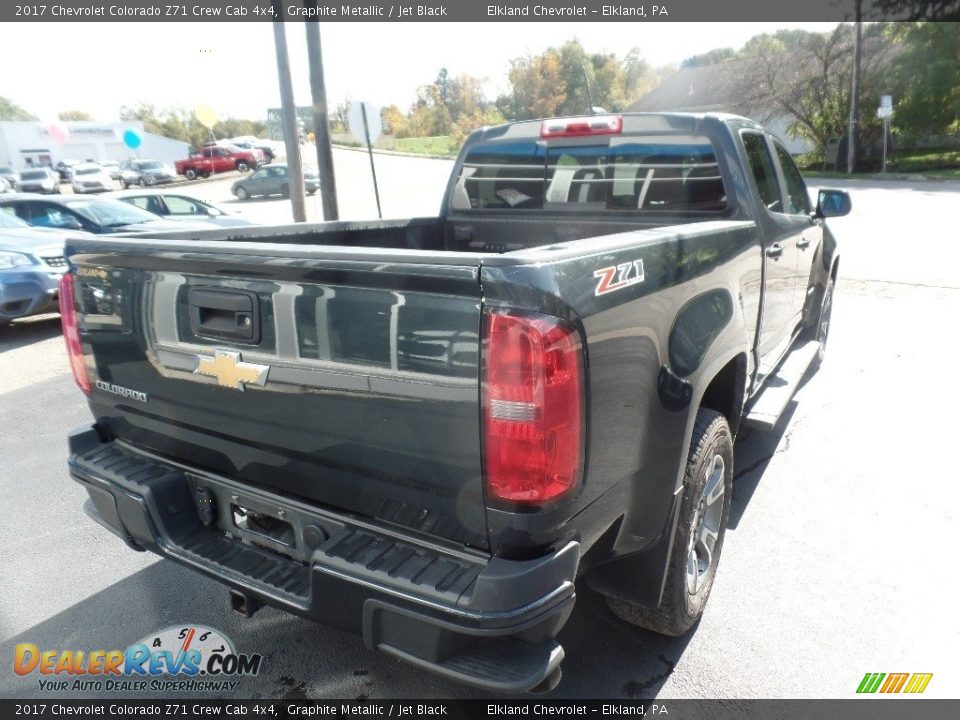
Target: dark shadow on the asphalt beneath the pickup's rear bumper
(304, 660)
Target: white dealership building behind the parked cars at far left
(23, 144)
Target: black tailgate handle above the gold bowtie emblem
(225, 315)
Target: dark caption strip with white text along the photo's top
(477, 11)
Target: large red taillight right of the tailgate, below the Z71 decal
(532, 408)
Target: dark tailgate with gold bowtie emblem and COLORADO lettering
(348, 378)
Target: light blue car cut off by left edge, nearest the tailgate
(31, 263)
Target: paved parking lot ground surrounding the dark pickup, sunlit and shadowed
(837, 561)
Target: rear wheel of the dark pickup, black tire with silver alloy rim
(682, 605)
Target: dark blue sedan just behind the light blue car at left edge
(95, 215)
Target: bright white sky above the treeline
(231, 67)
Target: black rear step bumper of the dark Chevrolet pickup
(484, 621)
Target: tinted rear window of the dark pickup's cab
(669, 173)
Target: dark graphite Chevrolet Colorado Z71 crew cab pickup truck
(429, 431)
